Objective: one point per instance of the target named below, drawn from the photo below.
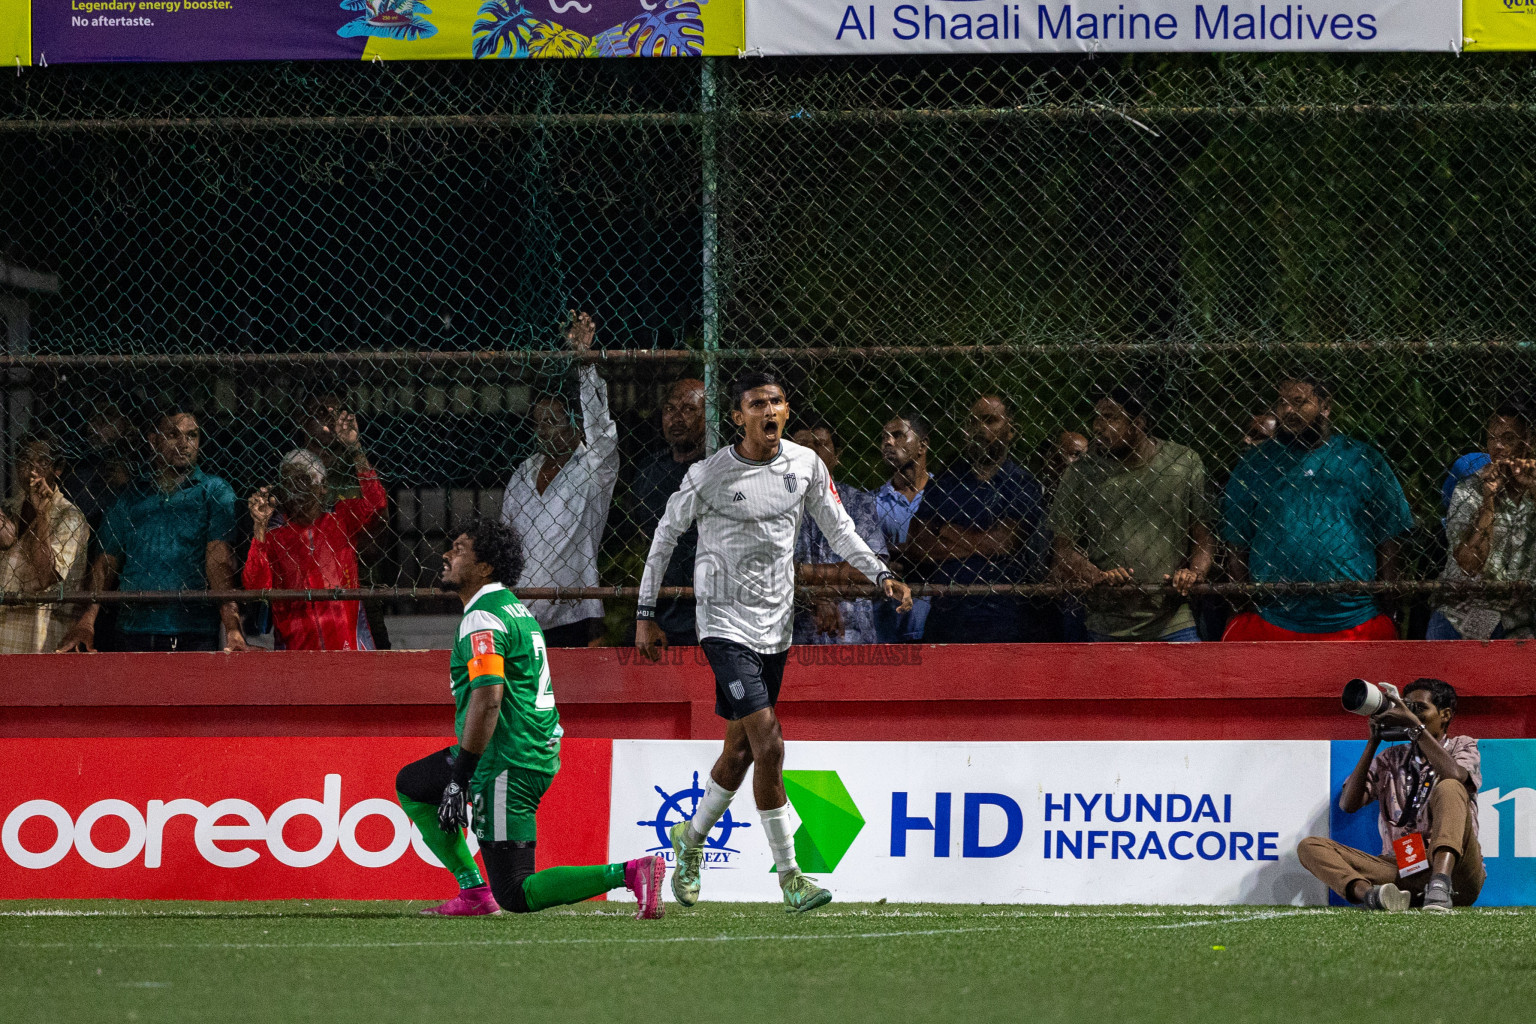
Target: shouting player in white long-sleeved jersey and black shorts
(749, 501)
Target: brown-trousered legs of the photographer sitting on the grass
(1451, 828)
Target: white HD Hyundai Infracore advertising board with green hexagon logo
(1004, 822)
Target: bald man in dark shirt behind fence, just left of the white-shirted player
(683, 429)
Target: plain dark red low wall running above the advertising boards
(1039, 692)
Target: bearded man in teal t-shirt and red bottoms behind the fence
(1313, 506)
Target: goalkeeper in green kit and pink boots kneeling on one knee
(508, 755)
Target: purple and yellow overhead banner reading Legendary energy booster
(74, 31)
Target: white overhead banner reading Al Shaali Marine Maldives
(1001, 27)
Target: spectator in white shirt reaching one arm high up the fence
(558, 501)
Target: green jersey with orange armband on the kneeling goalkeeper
(500, 642)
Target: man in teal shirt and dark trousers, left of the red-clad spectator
(170, 530)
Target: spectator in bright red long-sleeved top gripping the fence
(314, 549)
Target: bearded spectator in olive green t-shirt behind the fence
(1134, 512)
